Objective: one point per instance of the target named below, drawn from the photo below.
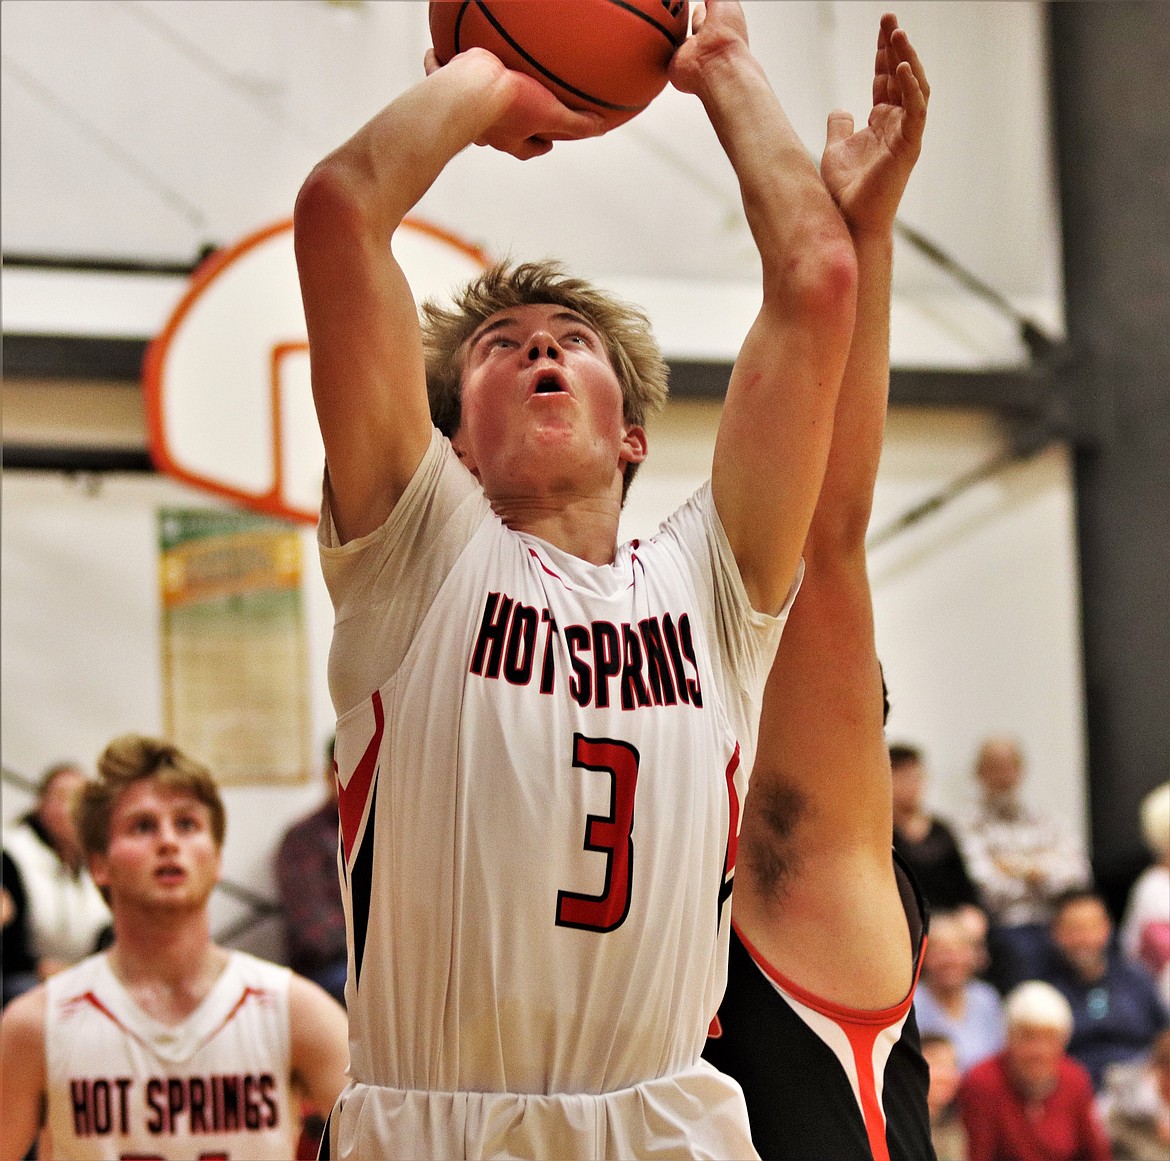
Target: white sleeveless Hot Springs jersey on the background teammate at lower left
(216, 1088)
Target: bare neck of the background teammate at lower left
(168, 968)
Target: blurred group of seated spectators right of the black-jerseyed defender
(1044, 1018)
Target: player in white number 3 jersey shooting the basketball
(543, 737)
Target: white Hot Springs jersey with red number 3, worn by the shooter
(541, 768)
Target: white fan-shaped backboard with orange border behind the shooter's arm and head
(229, 402)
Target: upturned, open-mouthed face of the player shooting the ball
(542, 408)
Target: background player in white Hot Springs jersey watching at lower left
(167, 1046)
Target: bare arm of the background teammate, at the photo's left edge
(22, 1074)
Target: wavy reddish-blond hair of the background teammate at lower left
(132, 759)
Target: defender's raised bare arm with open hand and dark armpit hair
(816, 892)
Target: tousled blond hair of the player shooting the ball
(624, 329)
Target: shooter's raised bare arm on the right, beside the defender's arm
(777, 420)
